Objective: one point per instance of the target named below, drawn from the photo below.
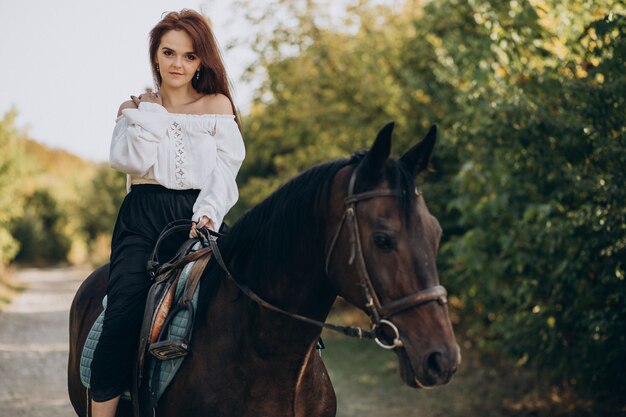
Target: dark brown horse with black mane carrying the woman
(358, 228)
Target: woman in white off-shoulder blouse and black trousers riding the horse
(181, 148)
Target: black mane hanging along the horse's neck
(284, 228)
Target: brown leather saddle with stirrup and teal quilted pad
(168, 316)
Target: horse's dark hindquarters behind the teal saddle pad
(86, 307)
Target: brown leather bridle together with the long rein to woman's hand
(380, 314)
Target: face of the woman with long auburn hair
(177, 59)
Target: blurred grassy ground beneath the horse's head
(367, 383)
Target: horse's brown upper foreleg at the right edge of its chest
(315, 396)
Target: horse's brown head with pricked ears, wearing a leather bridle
(381, 256)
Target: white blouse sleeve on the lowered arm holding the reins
(219, 191)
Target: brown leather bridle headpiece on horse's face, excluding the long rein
(379, 313)
